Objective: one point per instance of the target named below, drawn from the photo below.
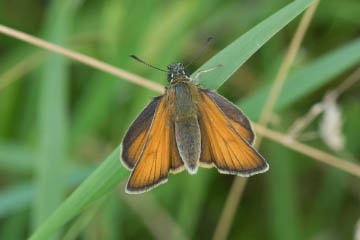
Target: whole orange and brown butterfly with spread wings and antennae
(188, 126)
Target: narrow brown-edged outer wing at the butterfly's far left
(135, 138)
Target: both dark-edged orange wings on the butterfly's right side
(226, 137)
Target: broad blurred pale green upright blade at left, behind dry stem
(52, 114)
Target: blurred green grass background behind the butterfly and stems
(59, 119)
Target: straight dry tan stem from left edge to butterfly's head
(83, 59)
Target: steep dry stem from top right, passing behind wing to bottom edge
(228, 213)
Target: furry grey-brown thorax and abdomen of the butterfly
(187, 130)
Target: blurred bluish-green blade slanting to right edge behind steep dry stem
(307, 80)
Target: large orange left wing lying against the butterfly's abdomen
(159, 154)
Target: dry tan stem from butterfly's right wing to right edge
(314, 153)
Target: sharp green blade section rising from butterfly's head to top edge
(234, 55)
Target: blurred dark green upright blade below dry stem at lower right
(282, 192)
